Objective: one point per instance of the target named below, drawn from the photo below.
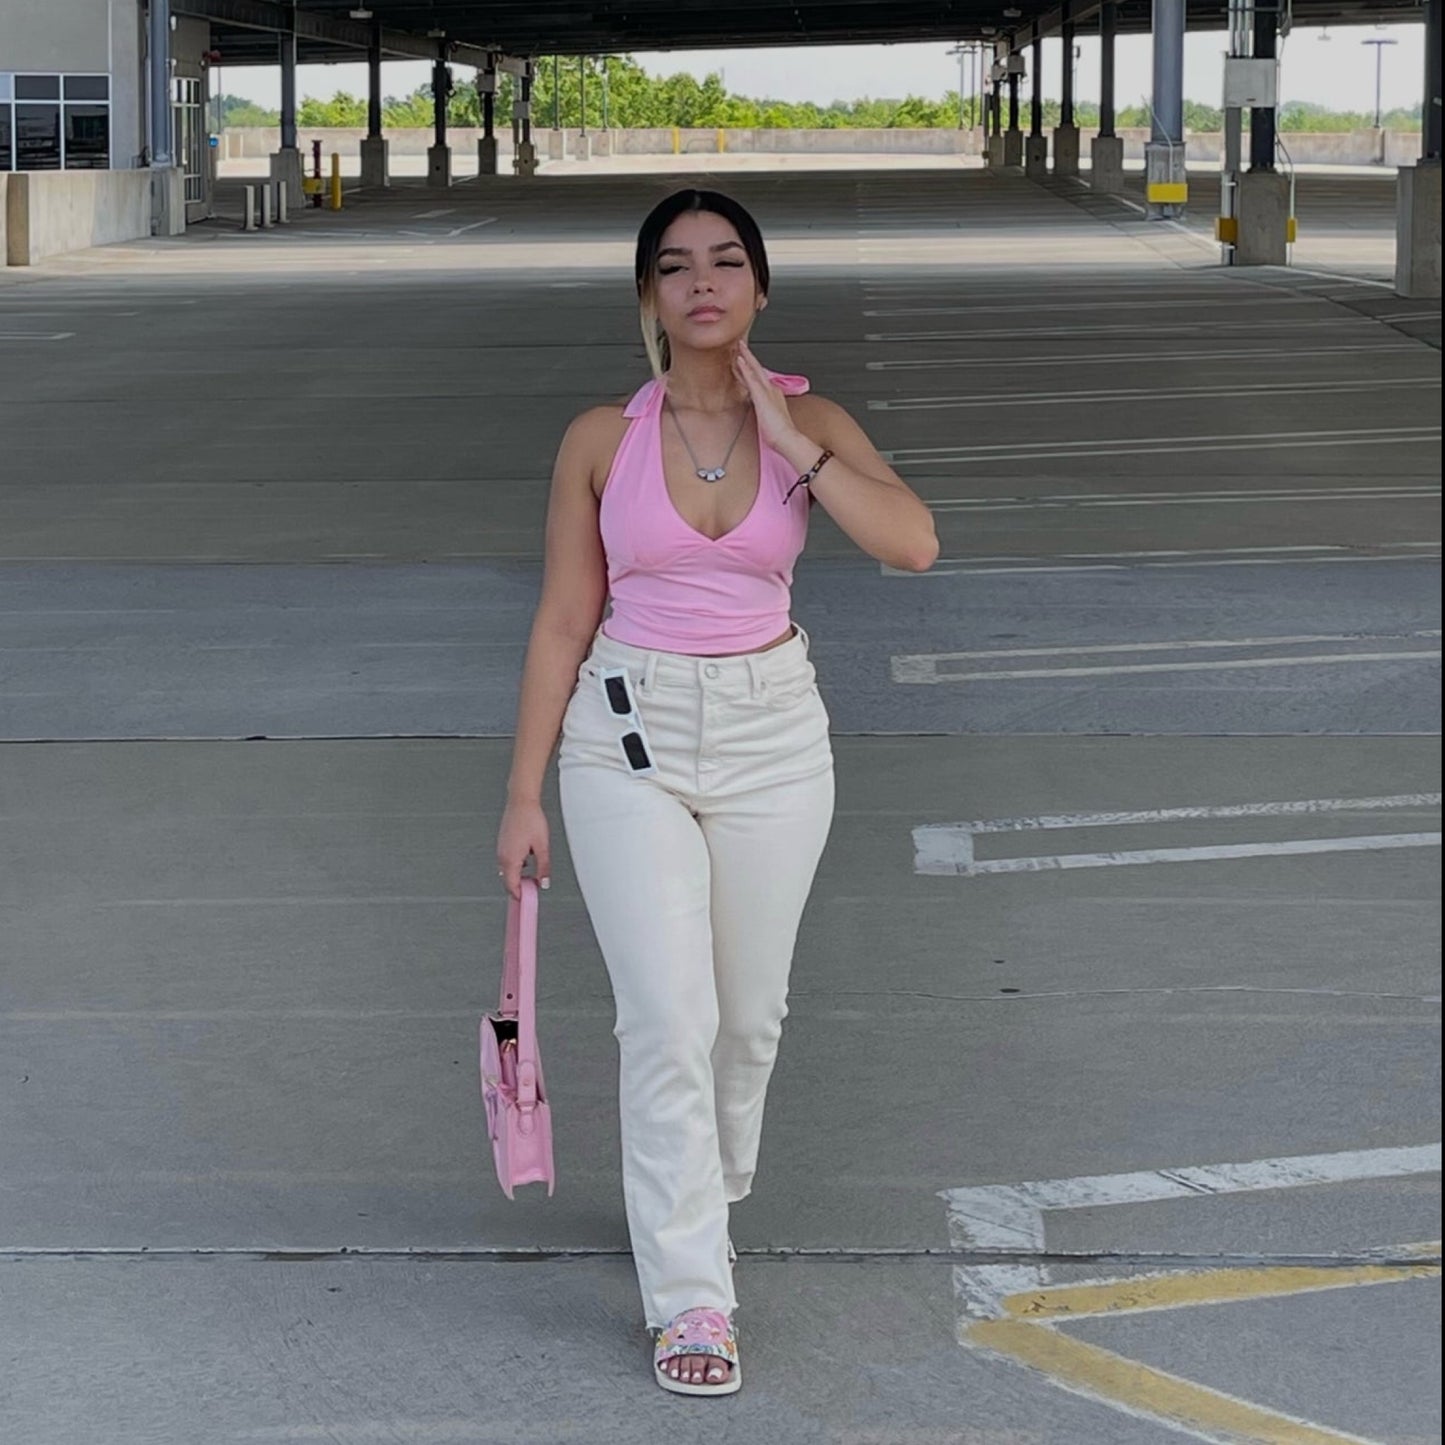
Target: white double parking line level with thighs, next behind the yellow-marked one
(946, 850)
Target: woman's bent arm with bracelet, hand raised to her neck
(859, 489)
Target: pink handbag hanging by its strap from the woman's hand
(519, 1121)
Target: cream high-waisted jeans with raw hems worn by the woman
(696, 879)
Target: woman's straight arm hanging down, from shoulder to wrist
(574, 593)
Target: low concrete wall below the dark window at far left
(50, 213)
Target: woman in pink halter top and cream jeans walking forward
(696, 768)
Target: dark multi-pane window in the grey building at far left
(54, 122)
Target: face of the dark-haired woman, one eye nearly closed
(707, 293)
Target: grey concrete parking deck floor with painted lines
(1135, 872)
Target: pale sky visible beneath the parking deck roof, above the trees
(1329, 67)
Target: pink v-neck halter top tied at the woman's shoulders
(673, 587)
